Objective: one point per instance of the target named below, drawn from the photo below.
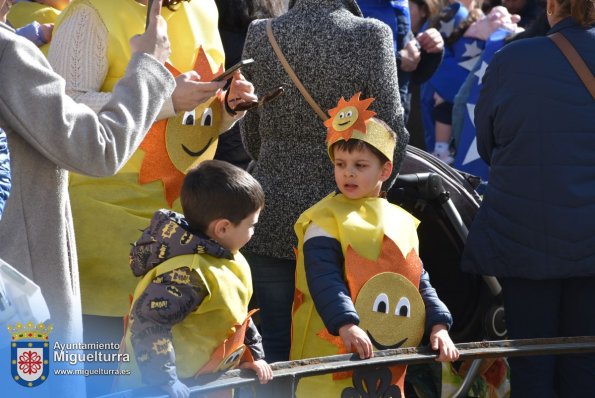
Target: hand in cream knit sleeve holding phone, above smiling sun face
(190, 92)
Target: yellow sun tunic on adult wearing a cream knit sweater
(109, 212)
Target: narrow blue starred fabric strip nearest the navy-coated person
(467, 158)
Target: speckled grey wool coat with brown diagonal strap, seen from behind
(335, 52)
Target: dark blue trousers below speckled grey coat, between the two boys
(273, 280)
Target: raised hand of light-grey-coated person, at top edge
(154, 41)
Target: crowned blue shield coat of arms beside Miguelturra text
(29, 353)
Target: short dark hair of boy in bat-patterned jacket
(219, 190)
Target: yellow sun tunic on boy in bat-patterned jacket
(220, 316)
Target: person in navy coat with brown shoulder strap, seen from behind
(535, 229)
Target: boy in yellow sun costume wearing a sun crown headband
(360, 285)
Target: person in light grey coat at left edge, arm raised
(48, 135)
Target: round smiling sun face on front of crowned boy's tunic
(391, 311)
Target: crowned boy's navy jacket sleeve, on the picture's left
(323, 261)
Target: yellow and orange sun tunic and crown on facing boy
(381, 270)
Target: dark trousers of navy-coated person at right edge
(551, 308)
